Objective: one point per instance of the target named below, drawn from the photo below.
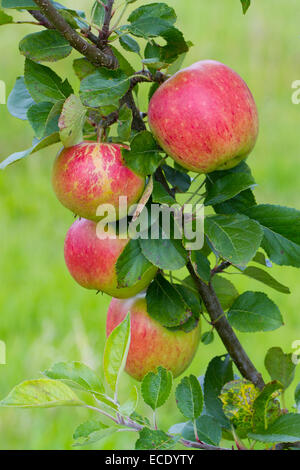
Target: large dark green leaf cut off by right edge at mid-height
(281, 227)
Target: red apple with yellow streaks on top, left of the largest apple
(91, 173)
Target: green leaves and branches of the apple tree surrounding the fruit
(242, 235)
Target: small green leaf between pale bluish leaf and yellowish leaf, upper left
(39, 117)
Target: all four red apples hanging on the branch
(205, 118)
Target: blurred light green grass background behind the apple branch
(44, 316)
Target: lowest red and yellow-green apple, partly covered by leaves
(152, 345)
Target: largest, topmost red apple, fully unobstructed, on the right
(205, 117)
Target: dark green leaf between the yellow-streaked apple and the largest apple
(143, 157)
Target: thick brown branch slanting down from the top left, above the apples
(96, 56)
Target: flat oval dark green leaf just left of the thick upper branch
(45, 46)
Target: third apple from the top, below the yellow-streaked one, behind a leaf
(91, 261)
